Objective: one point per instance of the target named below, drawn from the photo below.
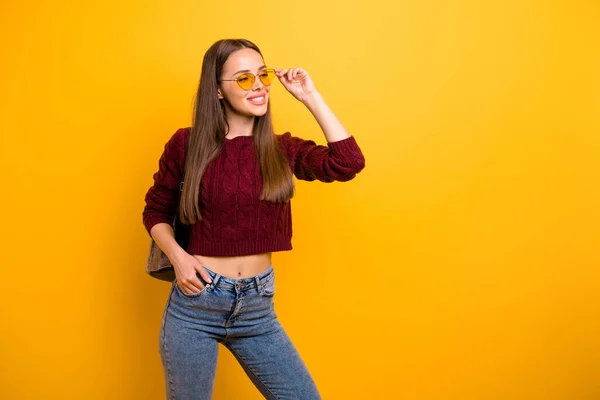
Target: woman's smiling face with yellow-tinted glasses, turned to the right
(253, 102)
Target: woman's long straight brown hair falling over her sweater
(207, 137)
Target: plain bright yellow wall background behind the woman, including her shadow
(462, 263)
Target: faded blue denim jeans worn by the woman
(239, 314)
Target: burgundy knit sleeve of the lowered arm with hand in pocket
(161, 199)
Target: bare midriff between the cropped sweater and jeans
(236, 267)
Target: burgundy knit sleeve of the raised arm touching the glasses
(338, 161)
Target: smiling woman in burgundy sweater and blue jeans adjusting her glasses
(236, 200)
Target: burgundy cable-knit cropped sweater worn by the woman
(235, 222)
